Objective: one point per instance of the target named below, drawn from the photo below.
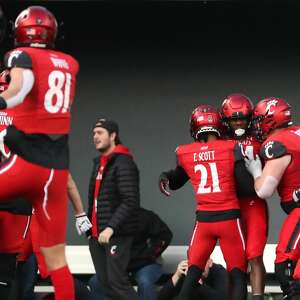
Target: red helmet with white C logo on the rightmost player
(269, 114)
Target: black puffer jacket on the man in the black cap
(118, 198)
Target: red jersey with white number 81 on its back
(46, 109)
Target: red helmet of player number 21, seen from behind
(204, 118)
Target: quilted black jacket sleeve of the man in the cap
(127, 178)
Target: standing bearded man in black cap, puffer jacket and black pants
(113, 210)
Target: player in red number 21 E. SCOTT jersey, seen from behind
(209, 164)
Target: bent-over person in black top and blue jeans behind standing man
(152, 238)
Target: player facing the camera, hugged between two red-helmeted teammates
(236, 112)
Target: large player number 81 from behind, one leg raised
(41, 92)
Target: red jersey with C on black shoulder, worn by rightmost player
(290, 139)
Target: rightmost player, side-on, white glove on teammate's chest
(272, 120)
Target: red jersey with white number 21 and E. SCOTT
(210, 167)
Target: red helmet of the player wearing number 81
(35, 27)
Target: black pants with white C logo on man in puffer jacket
(110, 262)
